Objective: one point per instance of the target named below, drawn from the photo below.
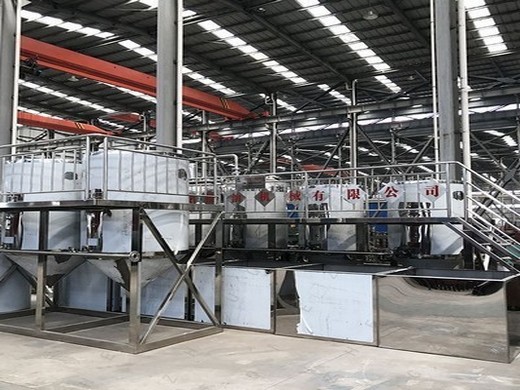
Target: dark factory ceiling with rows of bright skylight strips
(308, 52)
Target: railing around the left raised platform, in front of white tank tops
(87, 167)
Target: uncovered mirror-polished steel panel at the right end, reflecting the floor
(457, 317)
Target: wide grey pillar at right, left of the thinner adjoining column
(446, 61)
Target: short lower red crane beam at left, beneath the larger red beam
(56, 124)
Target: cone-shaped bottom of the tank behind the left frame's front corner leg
(119, 269)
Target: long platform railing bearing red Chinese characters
(412, 191)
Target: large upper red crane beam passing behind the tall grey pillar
(84, 66)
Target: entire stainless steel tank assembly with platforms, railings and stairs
(106, 244)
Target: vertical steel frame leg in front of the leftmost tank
(41, 276)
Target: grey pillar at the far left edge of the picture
(8, 31)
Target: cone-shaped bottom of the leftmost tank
(57, 265)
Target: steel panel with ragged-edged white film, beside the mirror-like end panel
(332, 305)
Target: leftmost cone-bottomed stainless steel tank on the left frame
(43, 180)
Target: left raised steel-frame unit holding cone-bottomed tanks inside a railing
(93, 223)
